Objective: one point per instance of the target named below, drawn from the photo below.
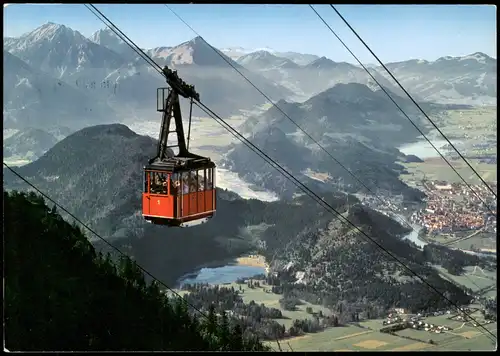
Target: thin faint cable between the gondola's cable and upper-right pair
(384, 203)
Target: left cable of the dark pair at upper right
(402, 111)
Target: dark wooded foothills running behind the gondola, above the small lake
(96, 173)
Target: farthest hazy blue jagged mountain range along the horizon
(113, 75)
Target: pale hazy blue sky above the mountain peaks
(394, 32)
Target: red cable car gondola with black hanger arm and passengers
(178, 189)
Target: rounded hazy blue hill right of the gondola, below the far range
(356, 125)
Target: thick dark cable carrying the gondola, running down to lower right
(305, 189)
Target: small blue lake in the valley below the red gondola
(220, 275)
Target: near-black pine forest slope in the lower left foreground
(62, 295)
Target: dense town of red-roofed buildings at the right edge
(453, 207)
